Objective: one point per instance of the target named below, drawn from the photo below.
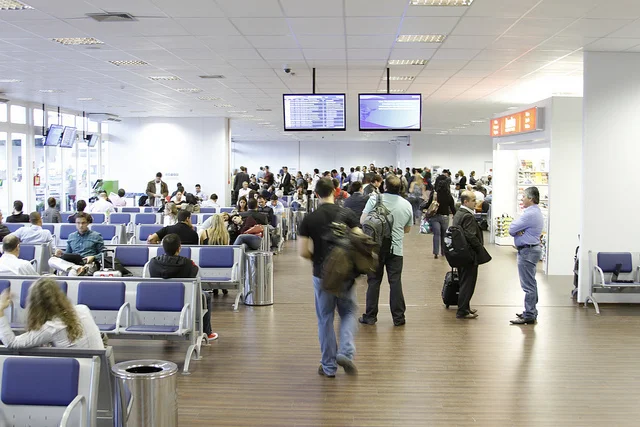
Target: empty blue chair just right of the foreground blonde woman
(106, 301)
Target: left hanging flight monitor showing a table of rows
(314, 112)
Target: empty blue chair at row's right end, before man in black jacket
(157, 298)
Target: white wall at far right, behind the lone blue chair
(610, 160)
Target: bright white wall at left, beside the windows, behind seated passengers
(193, 150)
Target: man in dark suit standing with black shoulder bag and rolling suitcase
(465, 219)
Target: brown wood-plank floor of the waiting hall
(572, 369)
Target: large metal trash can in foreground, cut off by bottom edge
(146, 392)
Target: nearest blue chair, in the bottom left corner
(39, 391)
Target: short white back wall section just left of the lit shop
(454, 152)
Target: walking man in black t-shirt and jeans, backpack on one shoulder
(314, 227)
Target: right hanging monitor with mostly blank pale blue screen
(388, 112)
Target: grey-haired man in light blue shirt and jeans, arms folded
(526, 231)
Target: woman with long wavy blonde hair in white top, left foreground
(51, 319)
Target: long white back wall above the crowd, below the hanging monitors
(307, 155)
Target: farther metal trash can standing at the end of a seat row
(258, 279)
